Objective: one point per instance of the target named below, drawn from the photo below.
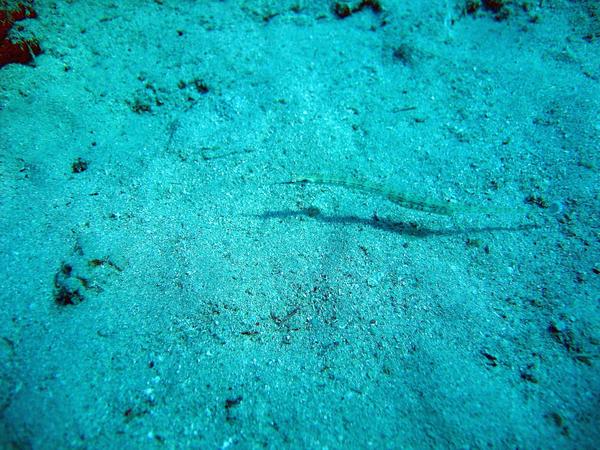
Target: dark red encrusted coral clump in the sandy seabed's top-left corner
(21, 51)
